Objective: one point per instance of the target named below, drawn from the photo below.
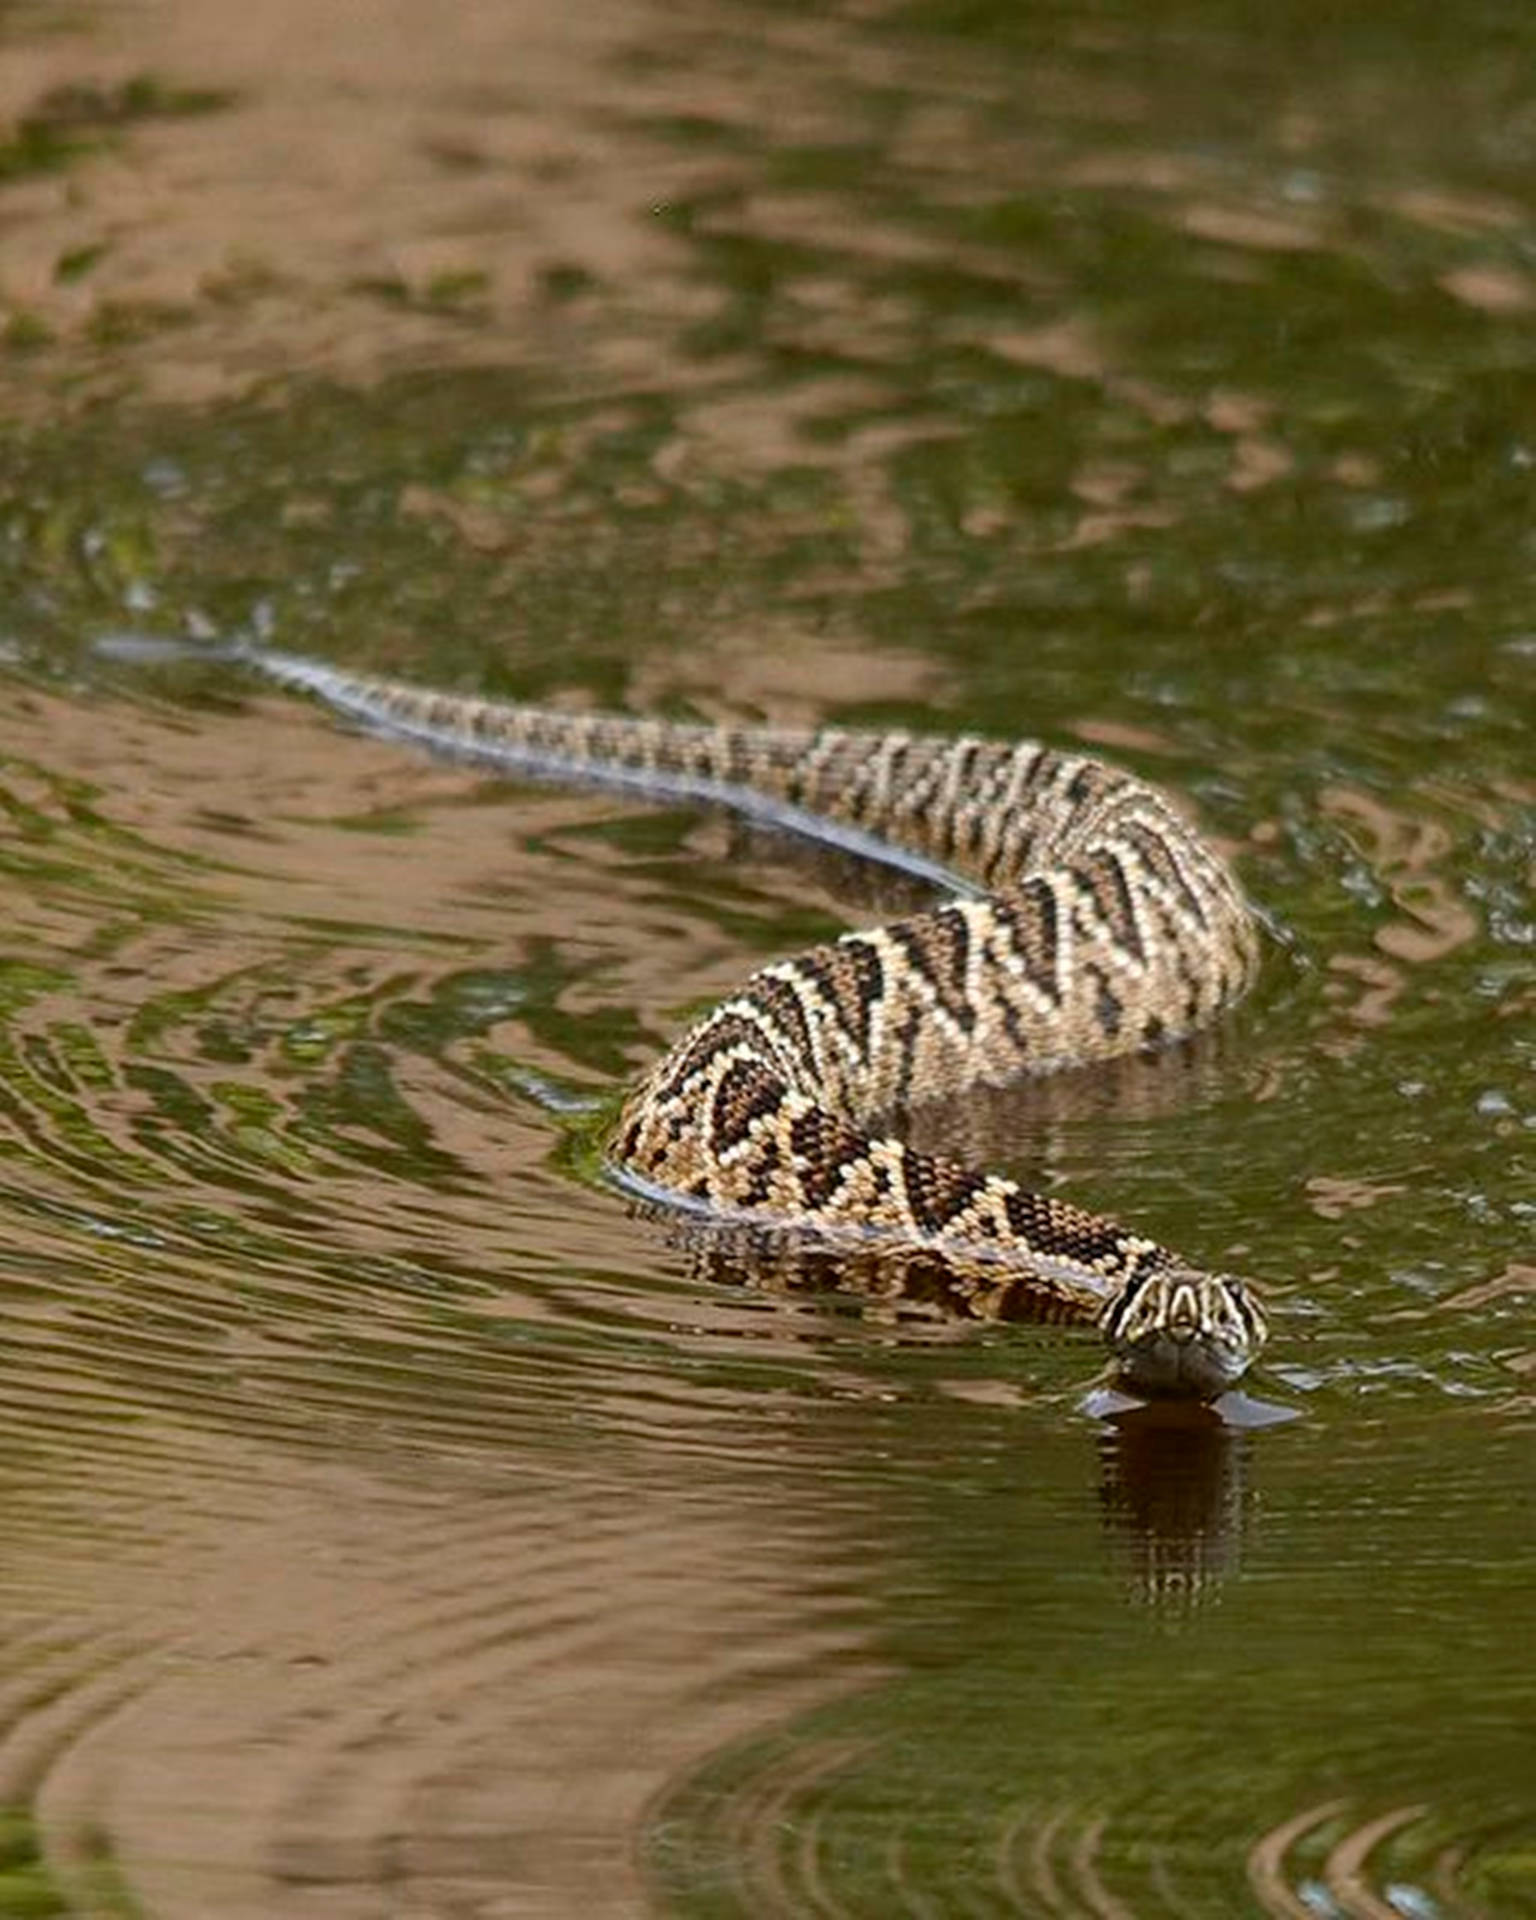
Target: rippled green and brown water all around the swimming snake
(395, 1524)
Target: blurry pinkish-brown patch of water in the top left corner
(252, 239)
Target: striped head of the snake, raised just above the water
(1180, 1332)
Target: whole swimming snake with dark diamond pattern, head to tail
(1084, 919)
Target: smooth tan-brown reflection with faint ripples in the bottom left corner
(291, 1685)
